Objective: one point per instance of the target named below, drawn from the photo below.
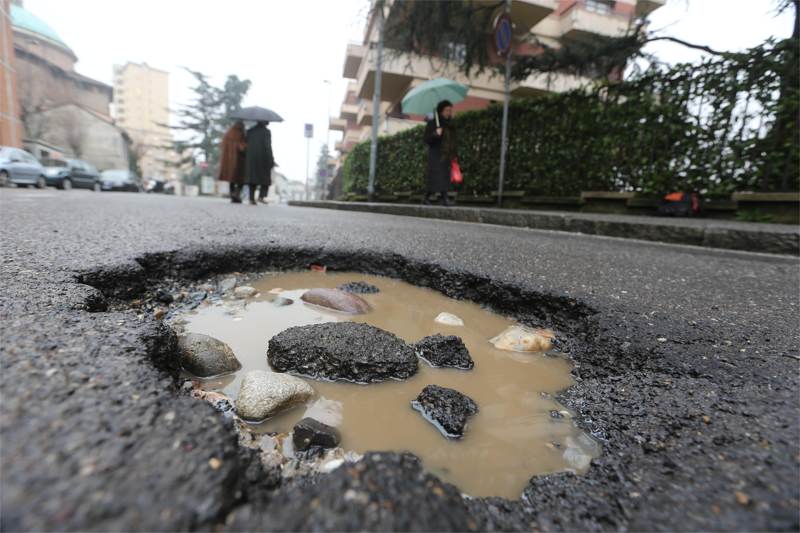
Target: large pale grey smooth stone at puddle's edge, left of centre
(264, 394)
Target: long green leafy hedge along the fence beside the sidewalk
(717, 127)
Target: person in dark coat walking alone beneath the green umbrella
(440, 136)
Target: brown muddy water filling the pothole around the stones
(518, 432)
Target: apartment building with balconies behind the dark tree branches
(553, 22)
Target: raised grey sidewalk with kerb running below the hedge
(713, 233)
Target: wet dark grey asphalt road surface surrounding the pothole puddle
(686, 368)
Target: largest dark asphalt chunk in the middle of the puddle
(342, 351)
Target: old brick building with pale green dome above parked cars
(62, 111)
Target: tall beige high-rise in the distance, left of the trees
(141, 108)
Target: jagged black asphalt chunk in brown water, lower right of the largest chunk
(447, 409)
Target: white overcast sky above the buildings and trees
(288, 48)
